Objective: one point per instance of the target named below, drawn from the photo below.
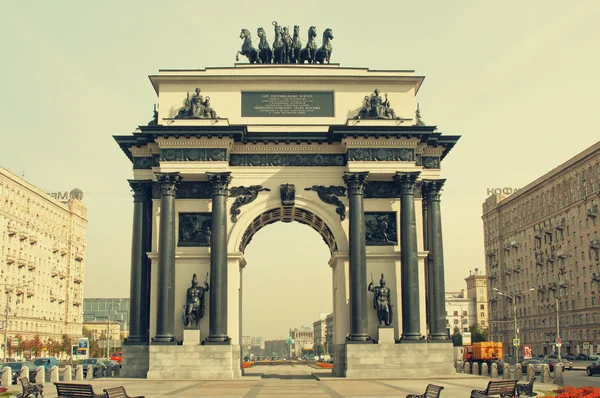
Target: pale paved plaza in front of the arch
(292, 381)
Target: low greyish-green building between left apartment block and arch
(102, 309)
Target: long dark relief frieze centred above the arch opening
(287, 159)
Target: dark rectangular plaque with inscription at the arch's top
(287, 104)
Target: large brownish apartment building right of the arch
(541, 246)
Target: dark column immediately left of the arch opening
(218, 260)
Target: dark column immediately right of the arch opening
(359, 331)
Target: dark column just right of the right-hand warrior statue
(410, 260)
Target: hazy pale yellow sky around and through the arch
(517, 80)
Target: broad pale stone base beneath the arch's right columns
(381, 361)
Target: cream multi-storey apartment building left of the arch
(42, 260)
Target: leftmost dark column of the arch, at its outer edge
(138, 286)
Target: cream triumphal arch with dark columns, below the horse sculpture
(233, 149)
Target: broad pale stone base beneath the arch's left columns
(194, 362)
